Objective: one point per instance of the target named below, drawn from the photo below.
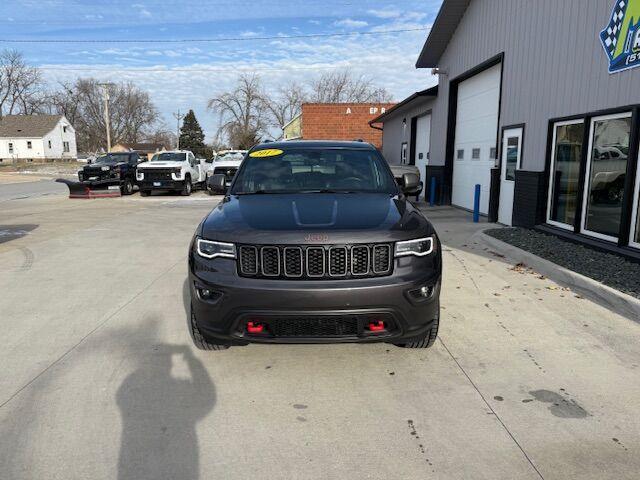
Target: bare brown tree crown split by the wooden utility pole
(133, 116)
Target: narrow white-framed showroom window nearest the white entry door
(564, 178)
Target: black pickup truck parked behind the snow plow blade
(110, 170)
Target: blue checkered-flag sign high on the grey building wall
(621, 38)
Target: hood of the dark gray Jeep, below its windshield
(314, 218)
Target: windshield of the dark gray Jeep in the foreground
(315, 170)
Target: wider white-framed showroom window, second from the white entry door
(609, 138)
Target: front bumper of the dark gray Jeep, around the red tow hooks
(236, 301)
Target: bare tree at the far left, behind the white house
(20, 85)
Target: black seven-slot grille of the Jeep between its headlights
(315, 262)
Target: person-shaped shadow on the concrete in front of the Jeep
(159, 413)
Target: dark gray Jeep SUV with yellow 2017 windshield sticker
(314, 242)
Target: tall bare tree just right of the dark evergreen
(243, 112)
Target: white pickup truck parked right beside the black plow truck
(177, 171)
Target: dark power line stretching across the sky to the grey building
(217, 40)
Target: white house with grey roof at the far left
(36, 138)
